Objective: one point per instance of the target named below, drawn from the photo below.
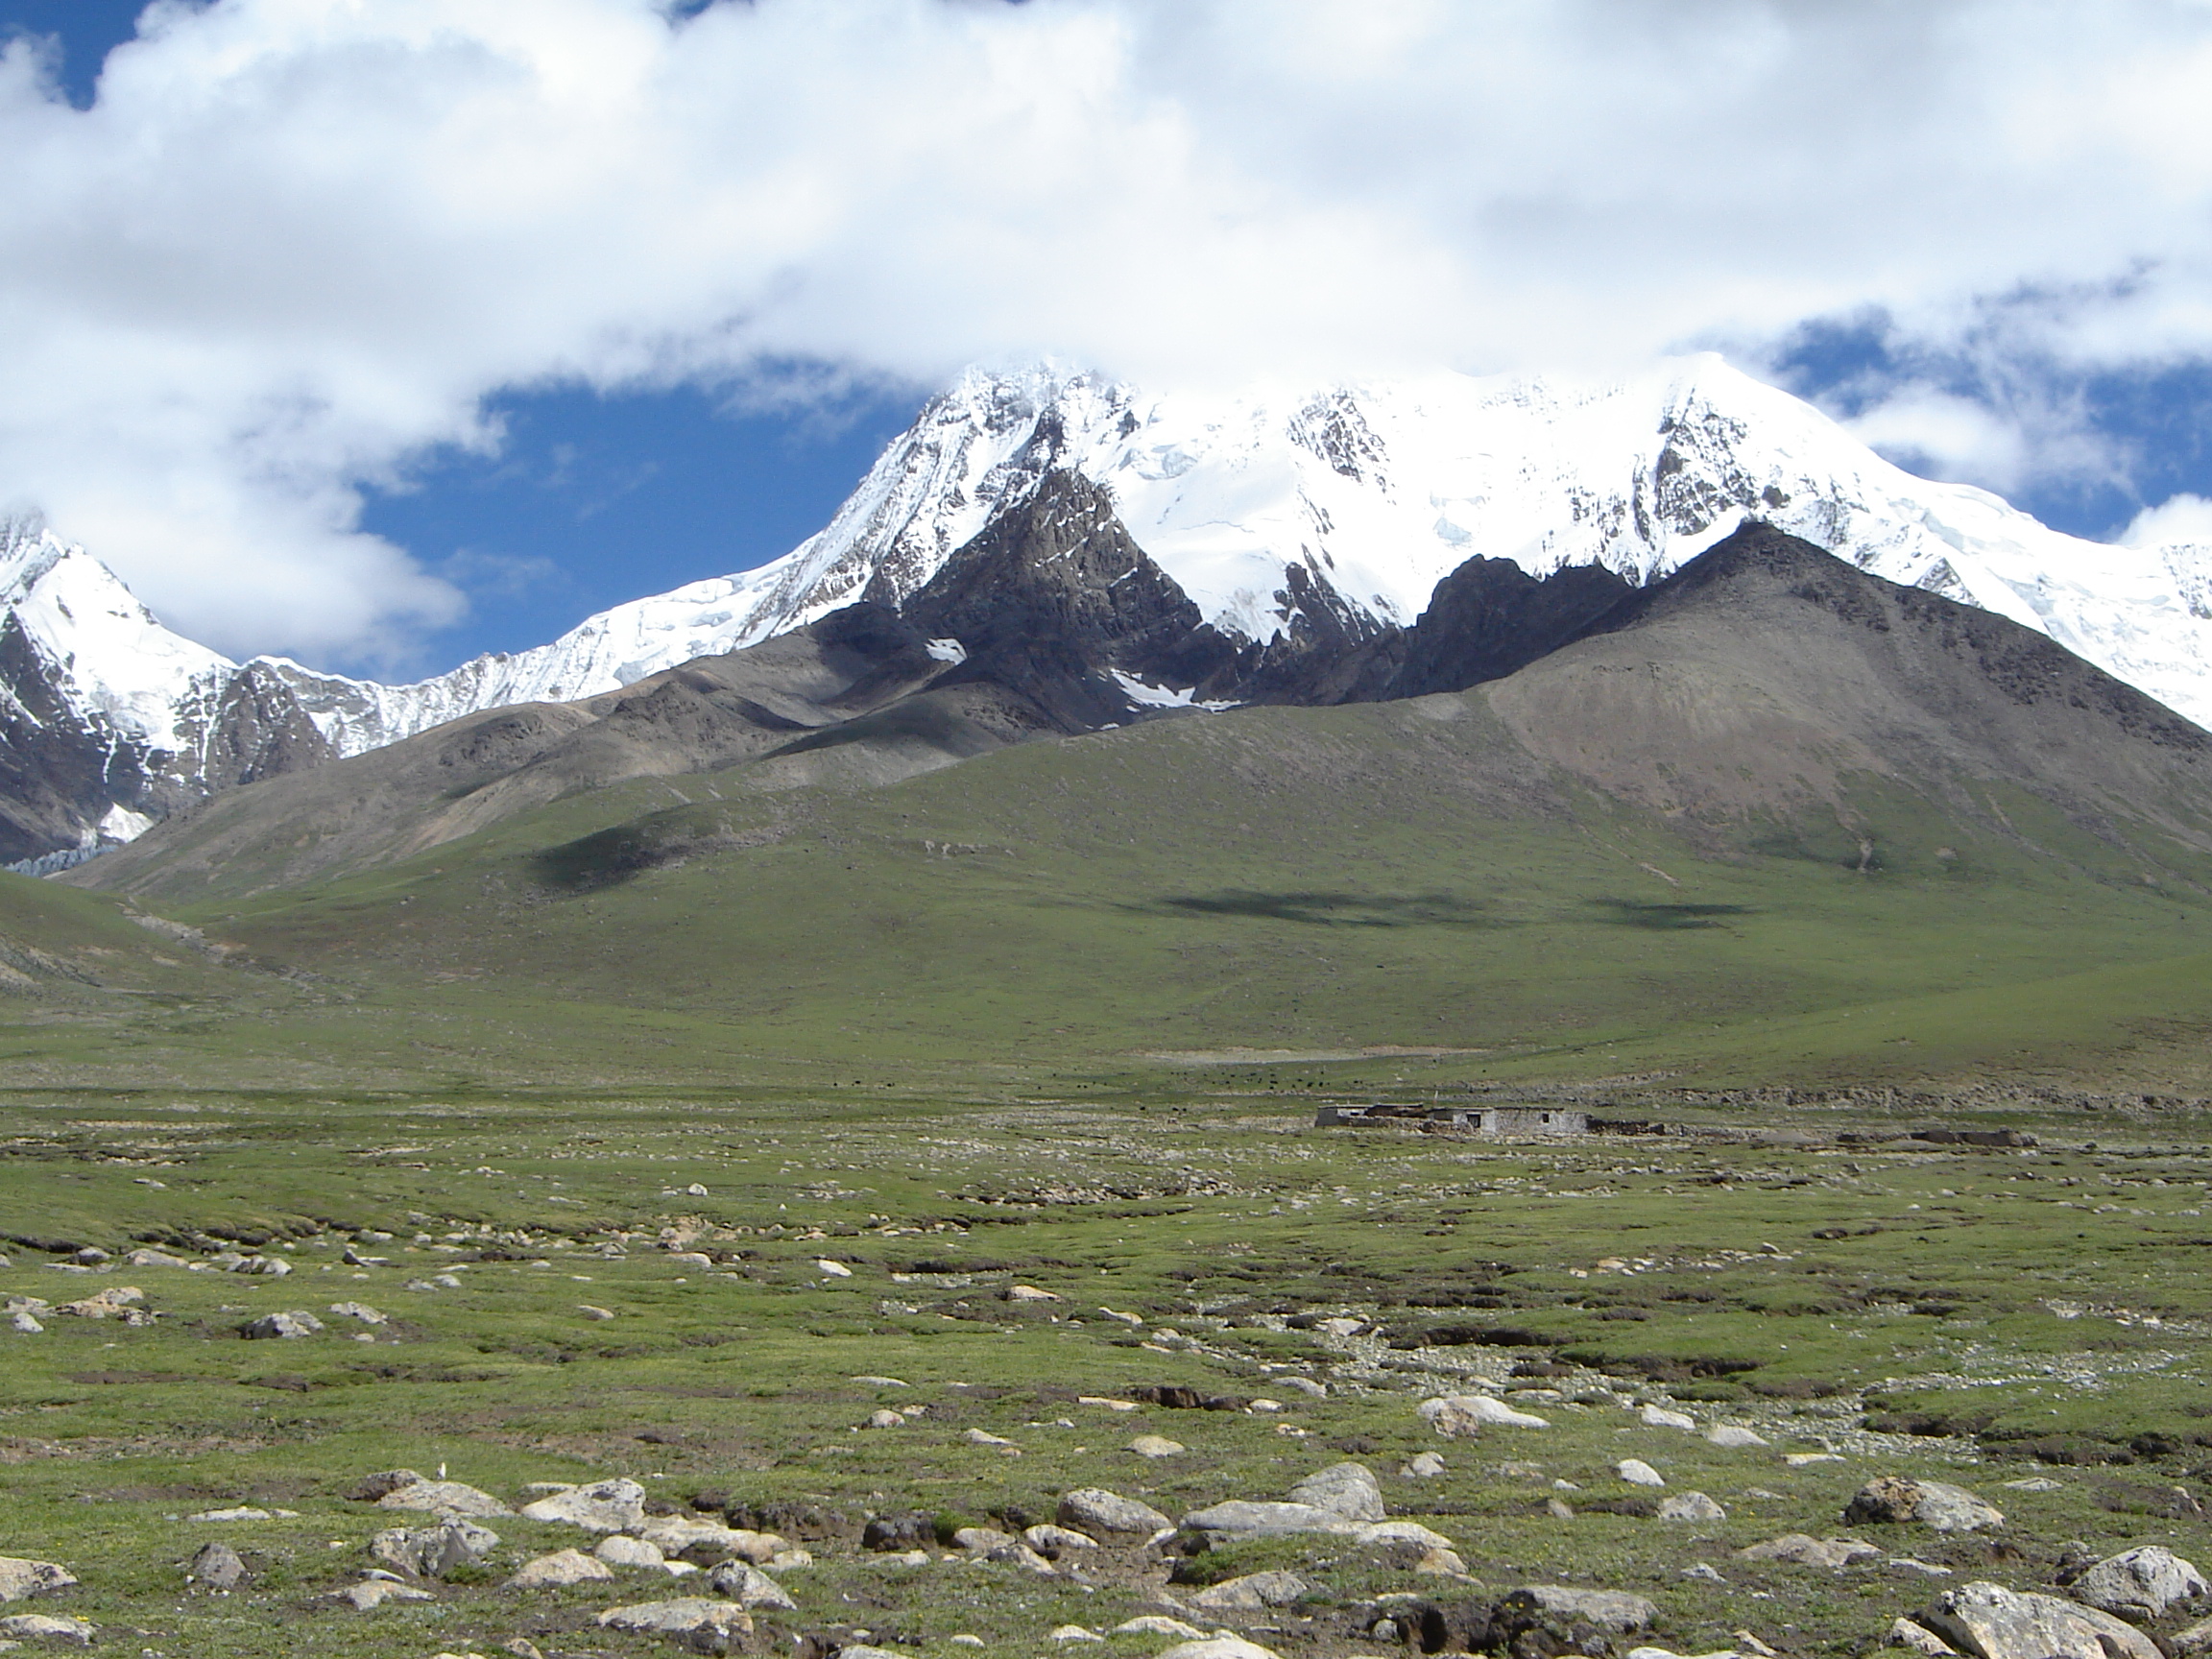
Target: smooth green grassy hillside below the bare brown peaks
(1302, 881)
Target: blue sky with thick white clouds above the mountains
(346, 337)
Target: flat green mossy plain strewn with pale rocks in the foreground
(1965, 1315)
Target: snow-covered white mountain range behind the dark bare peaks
(1275, 510)
